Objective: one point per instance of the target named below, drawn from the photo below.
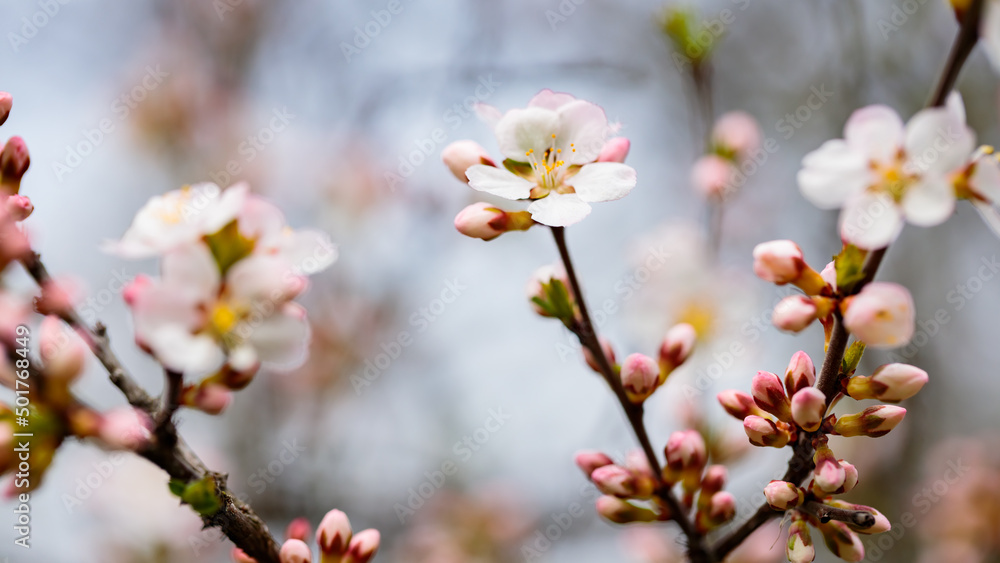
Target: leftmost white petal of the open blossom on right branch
(833, 173)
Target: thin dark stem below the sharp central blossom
(587, 335)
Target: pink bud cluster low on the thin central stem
(631, 490)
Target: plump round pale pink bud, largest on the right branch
(881, 316)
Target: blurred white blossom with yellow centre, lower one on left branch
(193, 319)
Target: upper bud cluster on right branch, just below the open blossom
(881, 315)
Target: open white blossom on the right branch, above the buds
(884, 173)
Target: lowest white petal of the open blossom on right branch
(870, 221)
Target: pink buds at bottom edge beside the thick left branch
(337, 543)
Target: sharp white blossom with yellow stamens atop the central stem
(552, 149)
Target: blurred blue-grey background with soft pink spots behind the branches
(191, 89)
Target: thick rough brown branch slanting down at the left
(167, 450)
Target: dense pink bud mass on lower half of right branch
(779, 414)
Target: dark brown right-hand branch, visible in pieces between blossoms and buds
(801, 462)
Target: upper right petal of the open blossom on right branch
(937, 141)
